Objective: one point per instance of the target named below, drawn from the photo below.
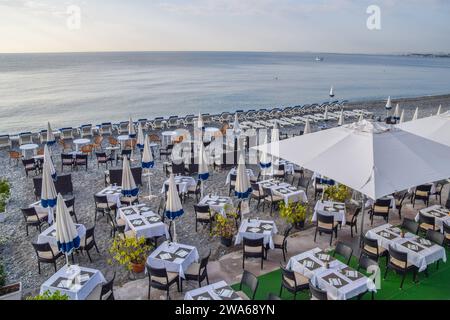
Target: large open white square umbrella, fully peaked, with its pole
(373, 158)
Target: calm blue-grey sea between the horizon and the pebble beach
(72, 89)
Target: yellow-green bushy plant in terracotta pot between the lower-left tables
(130, 252)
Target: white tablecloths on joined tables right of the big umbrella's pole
(387, 235)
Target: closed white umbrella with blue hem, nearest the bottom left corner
(66, 233)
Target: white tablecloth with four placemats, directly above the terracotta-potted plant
(150, 223)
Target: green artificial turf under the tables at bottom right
(435, 287)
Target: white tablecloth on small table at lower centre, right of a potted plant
(246, 231)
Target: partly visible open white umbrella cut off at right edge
(436, 128)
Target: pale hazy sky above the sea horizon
(224, 25)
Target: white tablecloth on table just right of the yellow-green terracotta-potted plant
(179, 264)
